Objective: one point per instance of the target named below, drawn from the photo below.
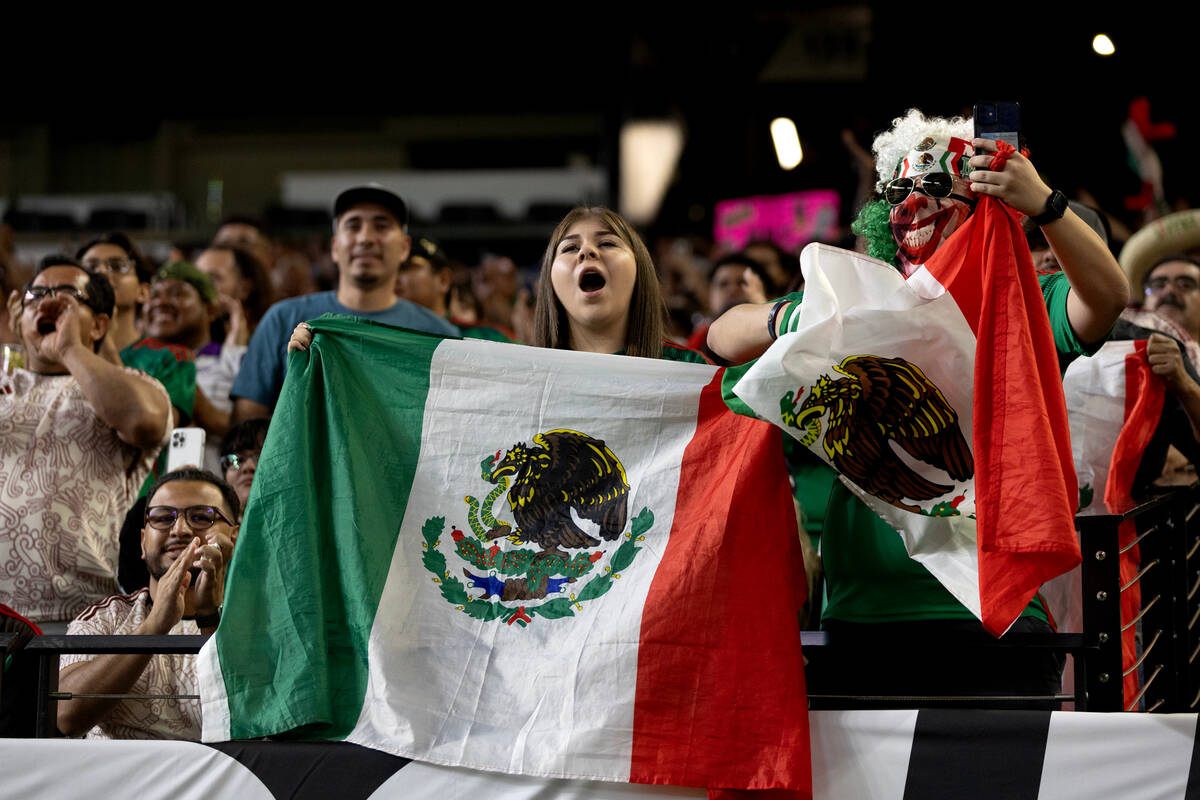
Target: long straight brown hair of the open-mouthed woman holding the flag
(647, 310)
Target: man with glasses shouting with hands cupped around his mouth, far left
(81, 436)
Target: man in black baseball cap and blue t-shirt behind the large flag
(370, 244)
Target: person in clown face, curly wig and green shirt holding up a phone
(932, 175)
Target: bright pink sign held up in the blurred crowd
(791, 221)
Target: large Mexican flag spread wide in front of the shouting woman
(517, 560)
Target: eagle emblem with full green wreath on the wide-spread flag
(569, 498)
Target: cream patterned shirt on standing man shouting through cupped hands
(67, 483)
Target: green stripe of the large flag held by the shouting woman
(317, 540)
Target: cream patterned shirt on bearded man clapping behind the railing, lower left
(164, 676)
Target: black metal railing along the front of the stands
(1166, 531)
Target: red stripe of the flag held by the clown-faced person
(1025, 480)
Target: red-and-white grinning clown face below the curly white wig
(922, 224)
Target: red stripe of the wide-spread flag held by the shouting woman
(721, 696)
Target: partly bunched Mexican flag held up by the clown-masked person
(938, 399)
